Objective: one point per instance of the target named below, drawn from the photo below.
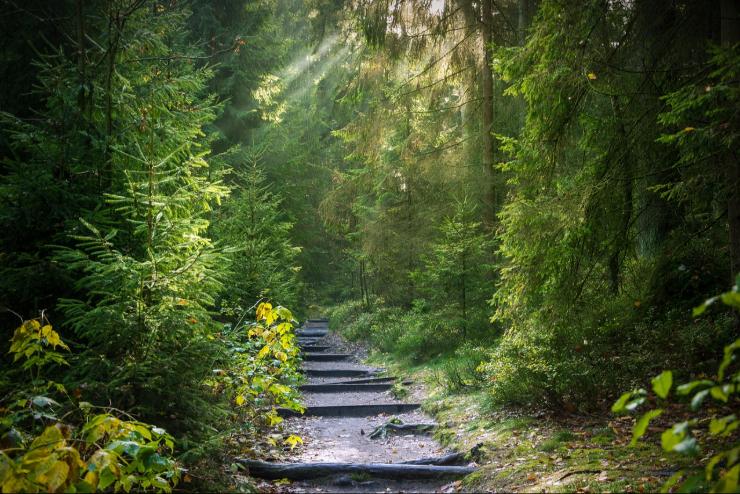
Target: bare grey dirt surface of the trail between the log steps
(340, 439)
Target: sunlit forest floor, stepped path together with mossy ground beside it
(514, 450)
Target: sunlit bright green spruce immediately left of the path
(146, 271)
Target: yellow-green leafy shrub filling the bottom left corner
(43, 452)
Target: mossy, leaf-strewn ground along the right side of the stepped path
(539, 451)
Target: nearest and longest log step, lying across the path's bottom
(396, 471)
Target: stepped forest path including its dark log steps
(346, 401)
